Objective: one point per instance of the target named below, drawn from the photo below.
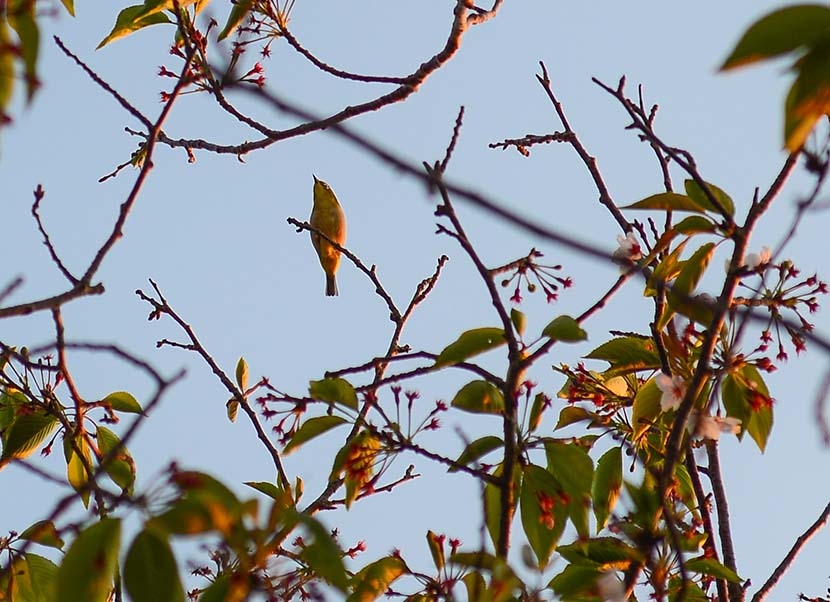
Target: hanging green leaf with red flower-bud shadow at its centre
(543, 513)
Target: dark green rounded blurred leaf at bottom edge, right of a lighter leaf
(150, 571)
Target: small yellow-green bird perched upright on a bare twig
(327, 216)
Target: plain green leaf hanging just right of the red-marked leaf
(573, 468)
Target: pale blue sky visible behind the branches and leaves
(214, 236)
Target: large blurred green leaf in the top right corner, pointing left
(780, 32)
